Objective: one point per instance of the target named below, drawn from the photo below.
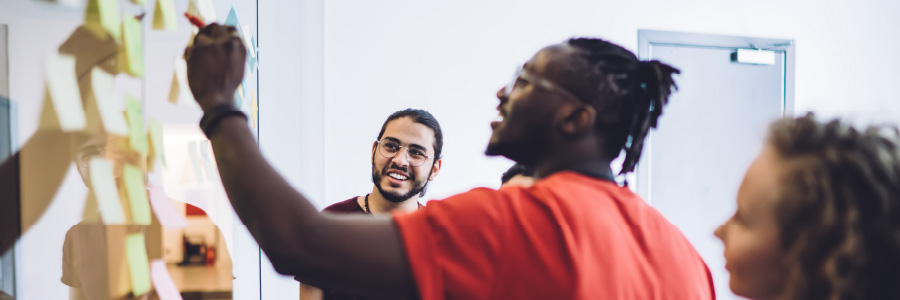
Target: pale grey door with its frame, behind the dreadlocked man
(711, 130)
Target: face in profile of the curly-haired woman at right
(751, 237)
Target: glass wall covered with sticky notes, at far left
(117, 195)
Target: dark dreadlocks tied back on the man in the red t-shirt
(629, 94)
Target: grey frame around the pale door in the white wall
(649, 38)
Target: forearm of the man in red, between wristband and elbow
(274, 212)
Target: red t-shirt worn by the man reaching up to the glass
(567, 237)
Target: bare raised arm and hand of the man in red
(322, 250)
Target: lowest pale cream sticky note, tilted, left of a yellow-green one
(103, 185)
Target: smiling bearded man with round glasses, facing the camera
(405, 157)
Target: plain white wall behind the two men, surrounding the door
(450, 57)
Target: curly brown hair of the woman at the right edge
(839, 209)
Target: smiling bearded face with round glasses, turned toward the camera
(395, 176)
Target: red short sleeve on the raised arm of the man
(453, 245)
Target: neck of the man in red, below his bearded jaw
(581, 157)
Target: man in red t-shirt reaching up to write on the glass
(575, 234)
